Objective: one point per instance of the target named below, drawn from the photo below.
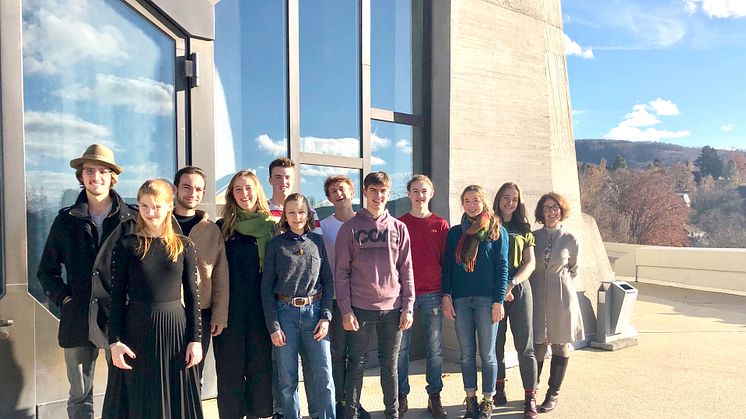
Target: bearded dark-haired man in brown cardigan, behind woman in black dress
(212, 265)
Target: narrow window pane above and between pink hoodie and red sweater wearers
(392, 146)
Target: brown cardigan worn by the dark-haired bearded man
(212, 268)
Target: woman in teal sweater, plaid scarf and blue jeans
(475, 276)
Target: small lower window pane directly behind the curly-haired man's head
(312, 184)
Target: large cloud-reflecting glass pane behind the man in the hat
(94, 72)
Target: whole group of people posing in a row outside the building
(272, 284)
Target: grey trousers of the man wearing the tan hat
(81, 367)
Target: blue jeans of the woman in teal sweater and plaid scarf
(474, 315)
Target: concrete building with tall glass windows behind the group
(466, 91)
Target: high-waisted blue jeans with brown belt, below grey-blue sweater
(298, 324)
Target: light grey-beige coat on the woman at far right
(557, 317)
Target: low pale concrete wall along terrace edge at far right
(721, 270)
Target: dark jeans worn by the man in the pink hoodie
(386, 324)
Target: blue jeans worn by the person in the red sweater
(428, 308)
